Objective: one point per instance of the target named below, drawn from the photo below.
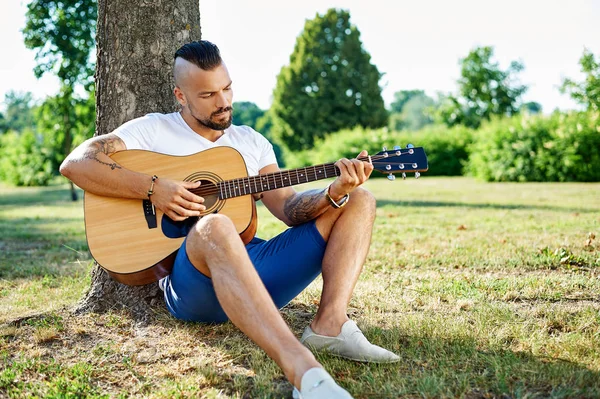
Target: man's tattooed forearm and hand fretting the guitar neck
(296, 208)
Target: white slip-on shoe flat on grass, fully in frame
(350, 344)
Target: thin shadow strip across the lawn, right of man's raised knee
(442, 204)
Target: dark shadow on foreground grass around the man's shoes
(430, 367)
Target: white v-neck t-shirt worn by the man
(170, 134)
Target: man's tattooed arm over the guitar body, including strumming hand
(90, 167)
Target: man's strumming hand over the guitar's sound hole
(175, 200)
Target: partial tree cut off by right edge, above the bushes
(587, 92)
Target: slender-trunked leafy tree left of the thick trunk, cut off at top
(62, 33)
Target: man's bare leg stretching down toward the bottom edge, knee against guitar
(243, 296)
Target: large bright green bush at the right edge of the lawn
(560, 147)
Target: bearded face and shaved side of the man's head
(205, 95)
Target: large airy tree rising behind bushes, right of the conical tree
(484, 90)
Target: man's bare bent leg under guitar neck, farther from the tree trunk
(348, 234)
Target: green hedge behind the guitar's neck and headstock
(446, 148)
